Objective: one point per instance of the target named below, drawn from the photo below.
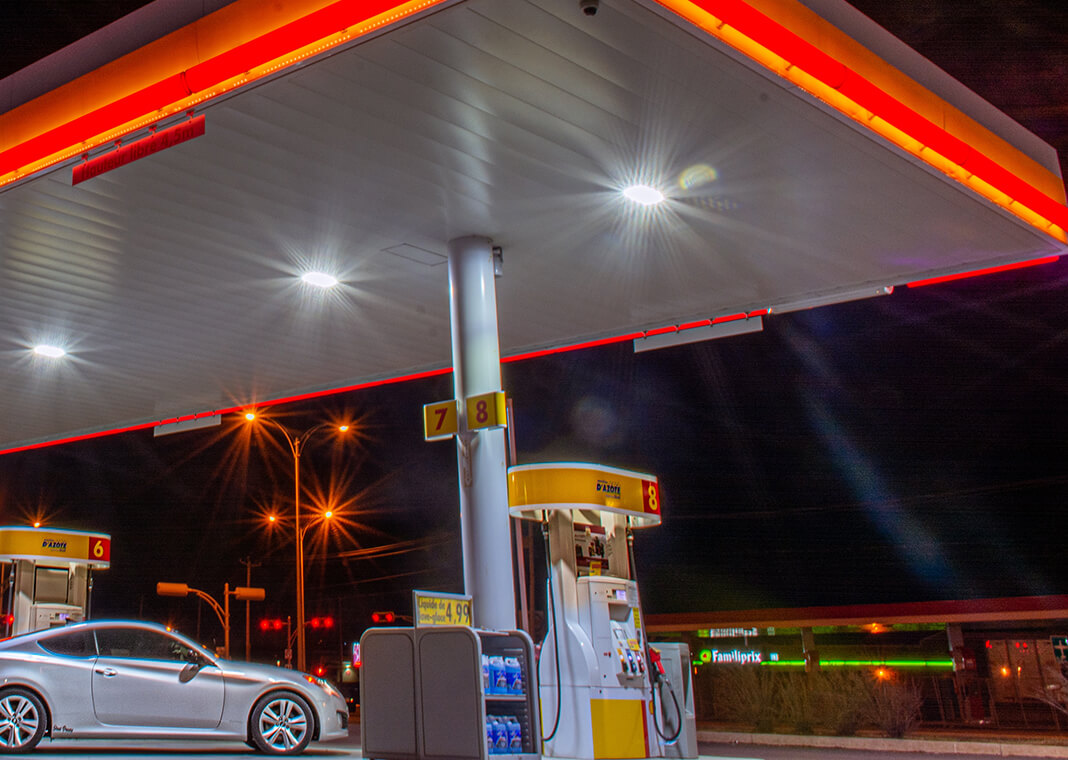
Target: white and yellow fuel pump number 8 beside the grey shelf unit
(596, 683)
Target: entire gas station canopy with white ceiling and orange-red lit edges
(806, 156)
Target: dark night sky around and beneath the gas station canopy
(905, 449)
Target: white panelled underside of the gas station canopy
(175, 281)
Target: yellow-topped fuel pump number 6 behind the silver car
(51, 578)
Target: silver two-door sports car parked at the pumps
(139, 680)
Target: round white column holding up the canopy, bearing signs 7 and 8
(481, 456)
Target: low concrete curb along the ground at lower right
(948, 747)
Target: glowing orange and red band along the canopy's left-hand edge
(239, 44)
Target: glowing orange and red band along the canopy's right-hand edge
(778, 35)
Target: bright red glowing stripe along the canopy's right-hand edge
(800, 53)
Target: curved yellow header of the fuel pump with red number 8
(537, 488)
